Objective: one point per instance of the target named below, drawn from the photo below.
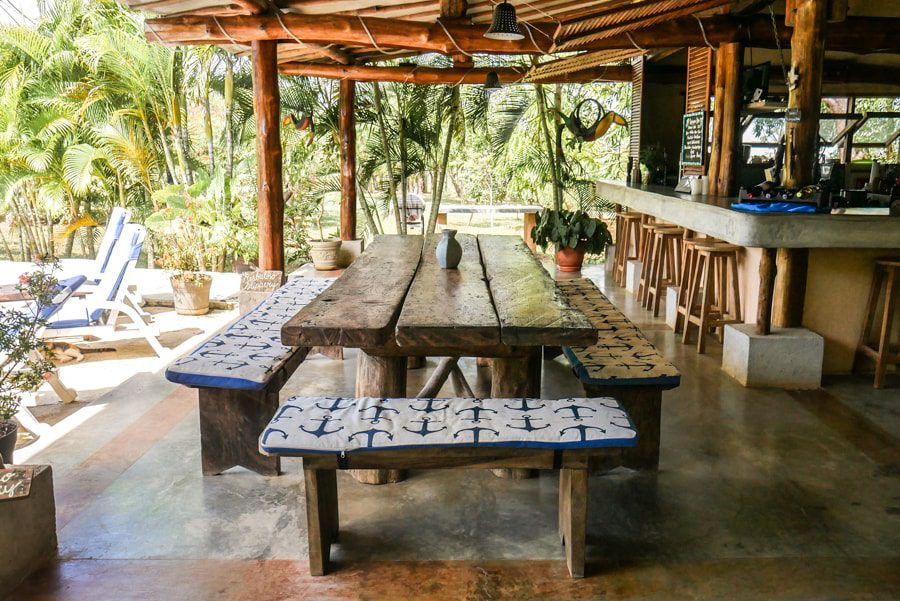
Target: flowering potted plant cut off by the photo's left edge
(23, 354)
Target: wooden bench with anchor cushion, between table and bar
(623, 365)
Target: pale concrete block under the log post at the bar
(789, 358)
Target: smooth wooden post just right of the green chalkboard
(726, 147)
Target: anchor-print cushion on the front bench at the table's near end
(306, 425)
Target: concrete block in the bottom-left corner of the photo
(27, 531)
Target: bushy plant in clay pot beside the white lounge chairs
(184, 239)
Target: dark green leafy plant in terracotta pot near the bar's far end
(574, 233)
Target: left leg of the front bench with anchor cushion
(319, 523)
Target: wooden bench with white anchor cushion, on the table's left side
(239, 373)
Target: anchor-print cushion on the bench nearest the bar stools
(622, 355)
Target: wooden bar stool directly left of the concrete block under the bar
(713, 262)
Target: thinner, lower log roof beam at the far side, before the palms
(451, 76)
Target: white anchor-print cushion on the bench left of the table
(245, 356)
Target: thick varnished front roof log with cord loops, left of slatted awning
(343, 30)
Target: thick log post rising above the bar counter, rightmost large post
(805, 90)
